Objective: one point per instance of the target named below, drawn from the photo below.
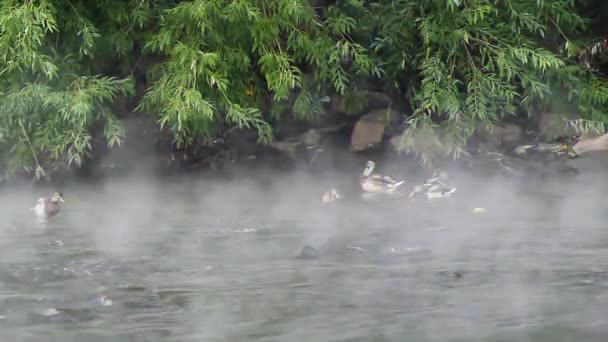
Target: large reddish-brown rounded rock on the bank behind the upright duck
(369, 130)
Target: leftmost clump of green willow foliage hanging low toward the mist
(50, 94)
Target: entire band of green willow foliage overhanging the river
(202, 66)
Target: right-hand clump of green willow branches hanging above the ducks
(471, 62)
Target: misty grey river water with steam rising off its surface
(145, 260)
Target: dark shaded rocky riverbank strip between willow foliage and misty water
(337, 144)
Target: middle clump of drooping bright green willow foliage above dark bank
(226, 59)
